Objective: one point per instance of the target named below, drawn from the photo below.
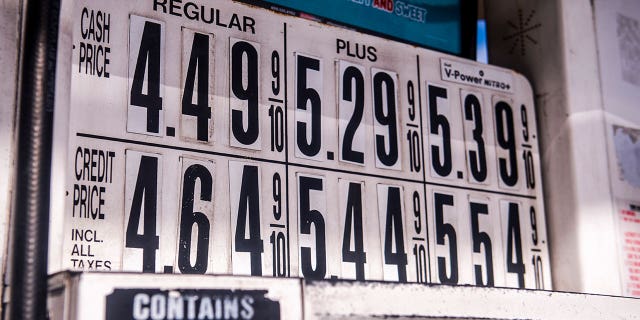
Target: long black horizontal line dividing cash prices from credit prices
(299, 165)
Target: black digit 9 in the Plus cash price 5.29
(383, 84)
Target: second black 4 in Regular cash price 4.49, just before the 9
(198, 63)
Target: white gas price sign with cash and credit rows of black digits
(219, 138)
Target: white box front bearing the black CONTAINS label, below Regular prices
(115, 296)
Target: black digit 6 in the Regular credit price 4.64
(188, 218)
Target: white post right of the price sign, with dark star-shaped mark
(553, 43)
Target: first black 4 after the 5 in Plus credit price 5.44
(353, 227)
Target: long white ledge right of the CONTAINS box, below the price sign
(348, 300)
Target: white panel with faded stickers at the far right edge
(618, 37)
